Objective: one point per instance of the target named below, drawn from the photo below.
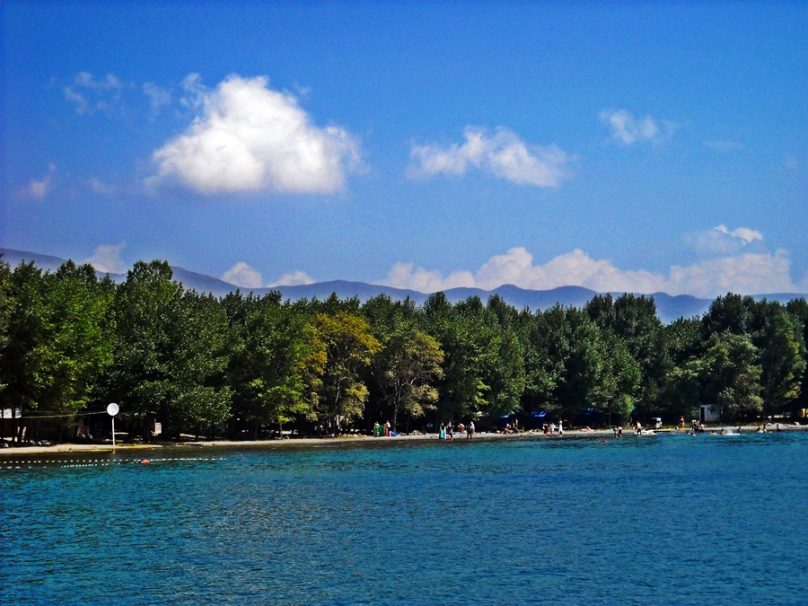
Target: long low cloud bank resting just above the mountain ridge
(745, 273)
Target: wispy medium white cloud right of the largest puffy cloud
(500, 153)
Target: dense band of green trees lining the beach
(247, 367)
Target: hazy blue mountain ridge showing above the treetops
(669, 307)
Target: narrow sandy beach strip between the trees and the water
(71, 448)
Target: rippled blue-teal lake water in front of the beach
(652, 520)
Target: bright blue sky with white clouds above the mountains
(631, 147)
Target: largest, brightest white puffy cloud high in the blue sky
(248, 138)
